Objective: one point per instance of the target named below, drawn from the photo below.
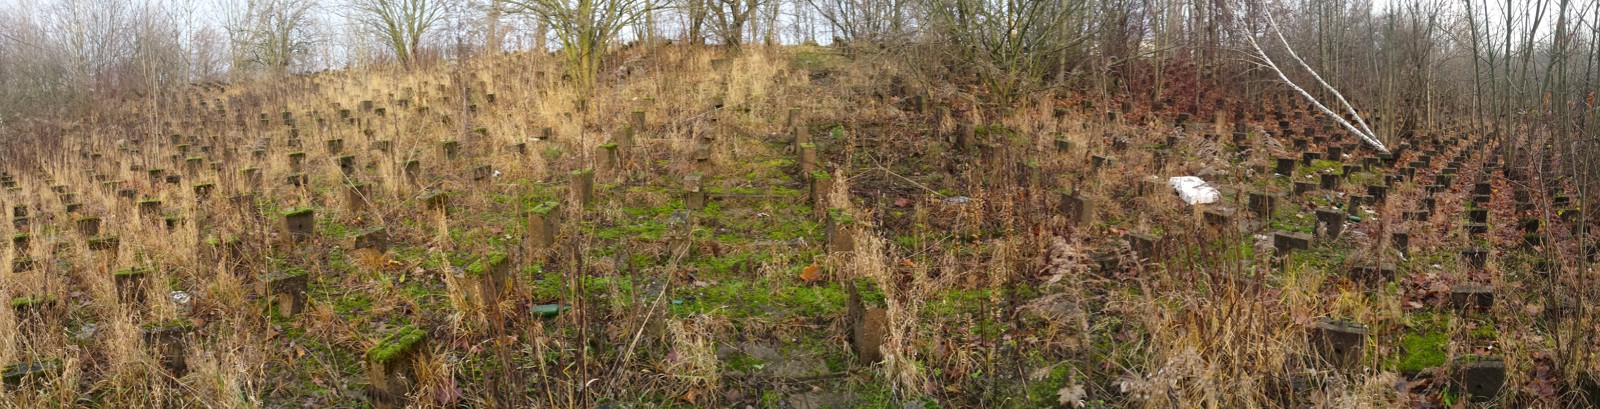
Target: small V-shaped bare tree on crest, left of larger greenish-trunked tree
(399, 23)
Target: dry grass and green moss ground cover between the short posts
(994, 304)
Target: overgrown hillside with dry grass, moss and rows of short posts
(790, 228)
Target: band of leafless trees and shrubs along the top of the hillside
(1412, 62)
